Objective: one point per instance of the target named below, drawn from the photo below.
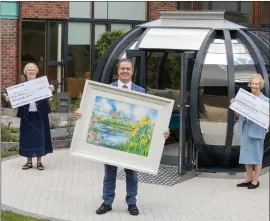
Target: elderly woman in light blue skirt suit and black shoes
(252, 139)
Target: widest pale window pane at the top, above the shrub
(115, 10)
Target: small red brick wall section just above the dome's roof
(154, 7)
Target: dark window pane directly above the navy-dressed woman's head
(33, 44)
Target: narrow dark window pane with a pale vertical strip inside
(56, 44)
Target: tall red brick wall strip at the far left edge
(9, 52)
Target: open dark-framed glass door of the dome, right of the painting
(186, 149)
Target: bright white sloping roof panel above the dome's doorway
(170, 38)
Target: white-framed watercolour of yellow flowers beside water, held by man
(121, 127)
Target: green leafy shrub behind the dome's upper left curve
(105, 41)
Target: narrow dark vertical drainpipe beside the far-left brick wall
(19, 72)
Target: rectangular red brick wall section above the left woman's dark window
(45, 10)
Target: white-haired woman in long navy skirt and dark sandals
(35, 137)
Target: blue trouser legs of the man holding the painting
(109, 184)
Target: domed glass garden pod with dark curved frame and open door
(200, 59)
